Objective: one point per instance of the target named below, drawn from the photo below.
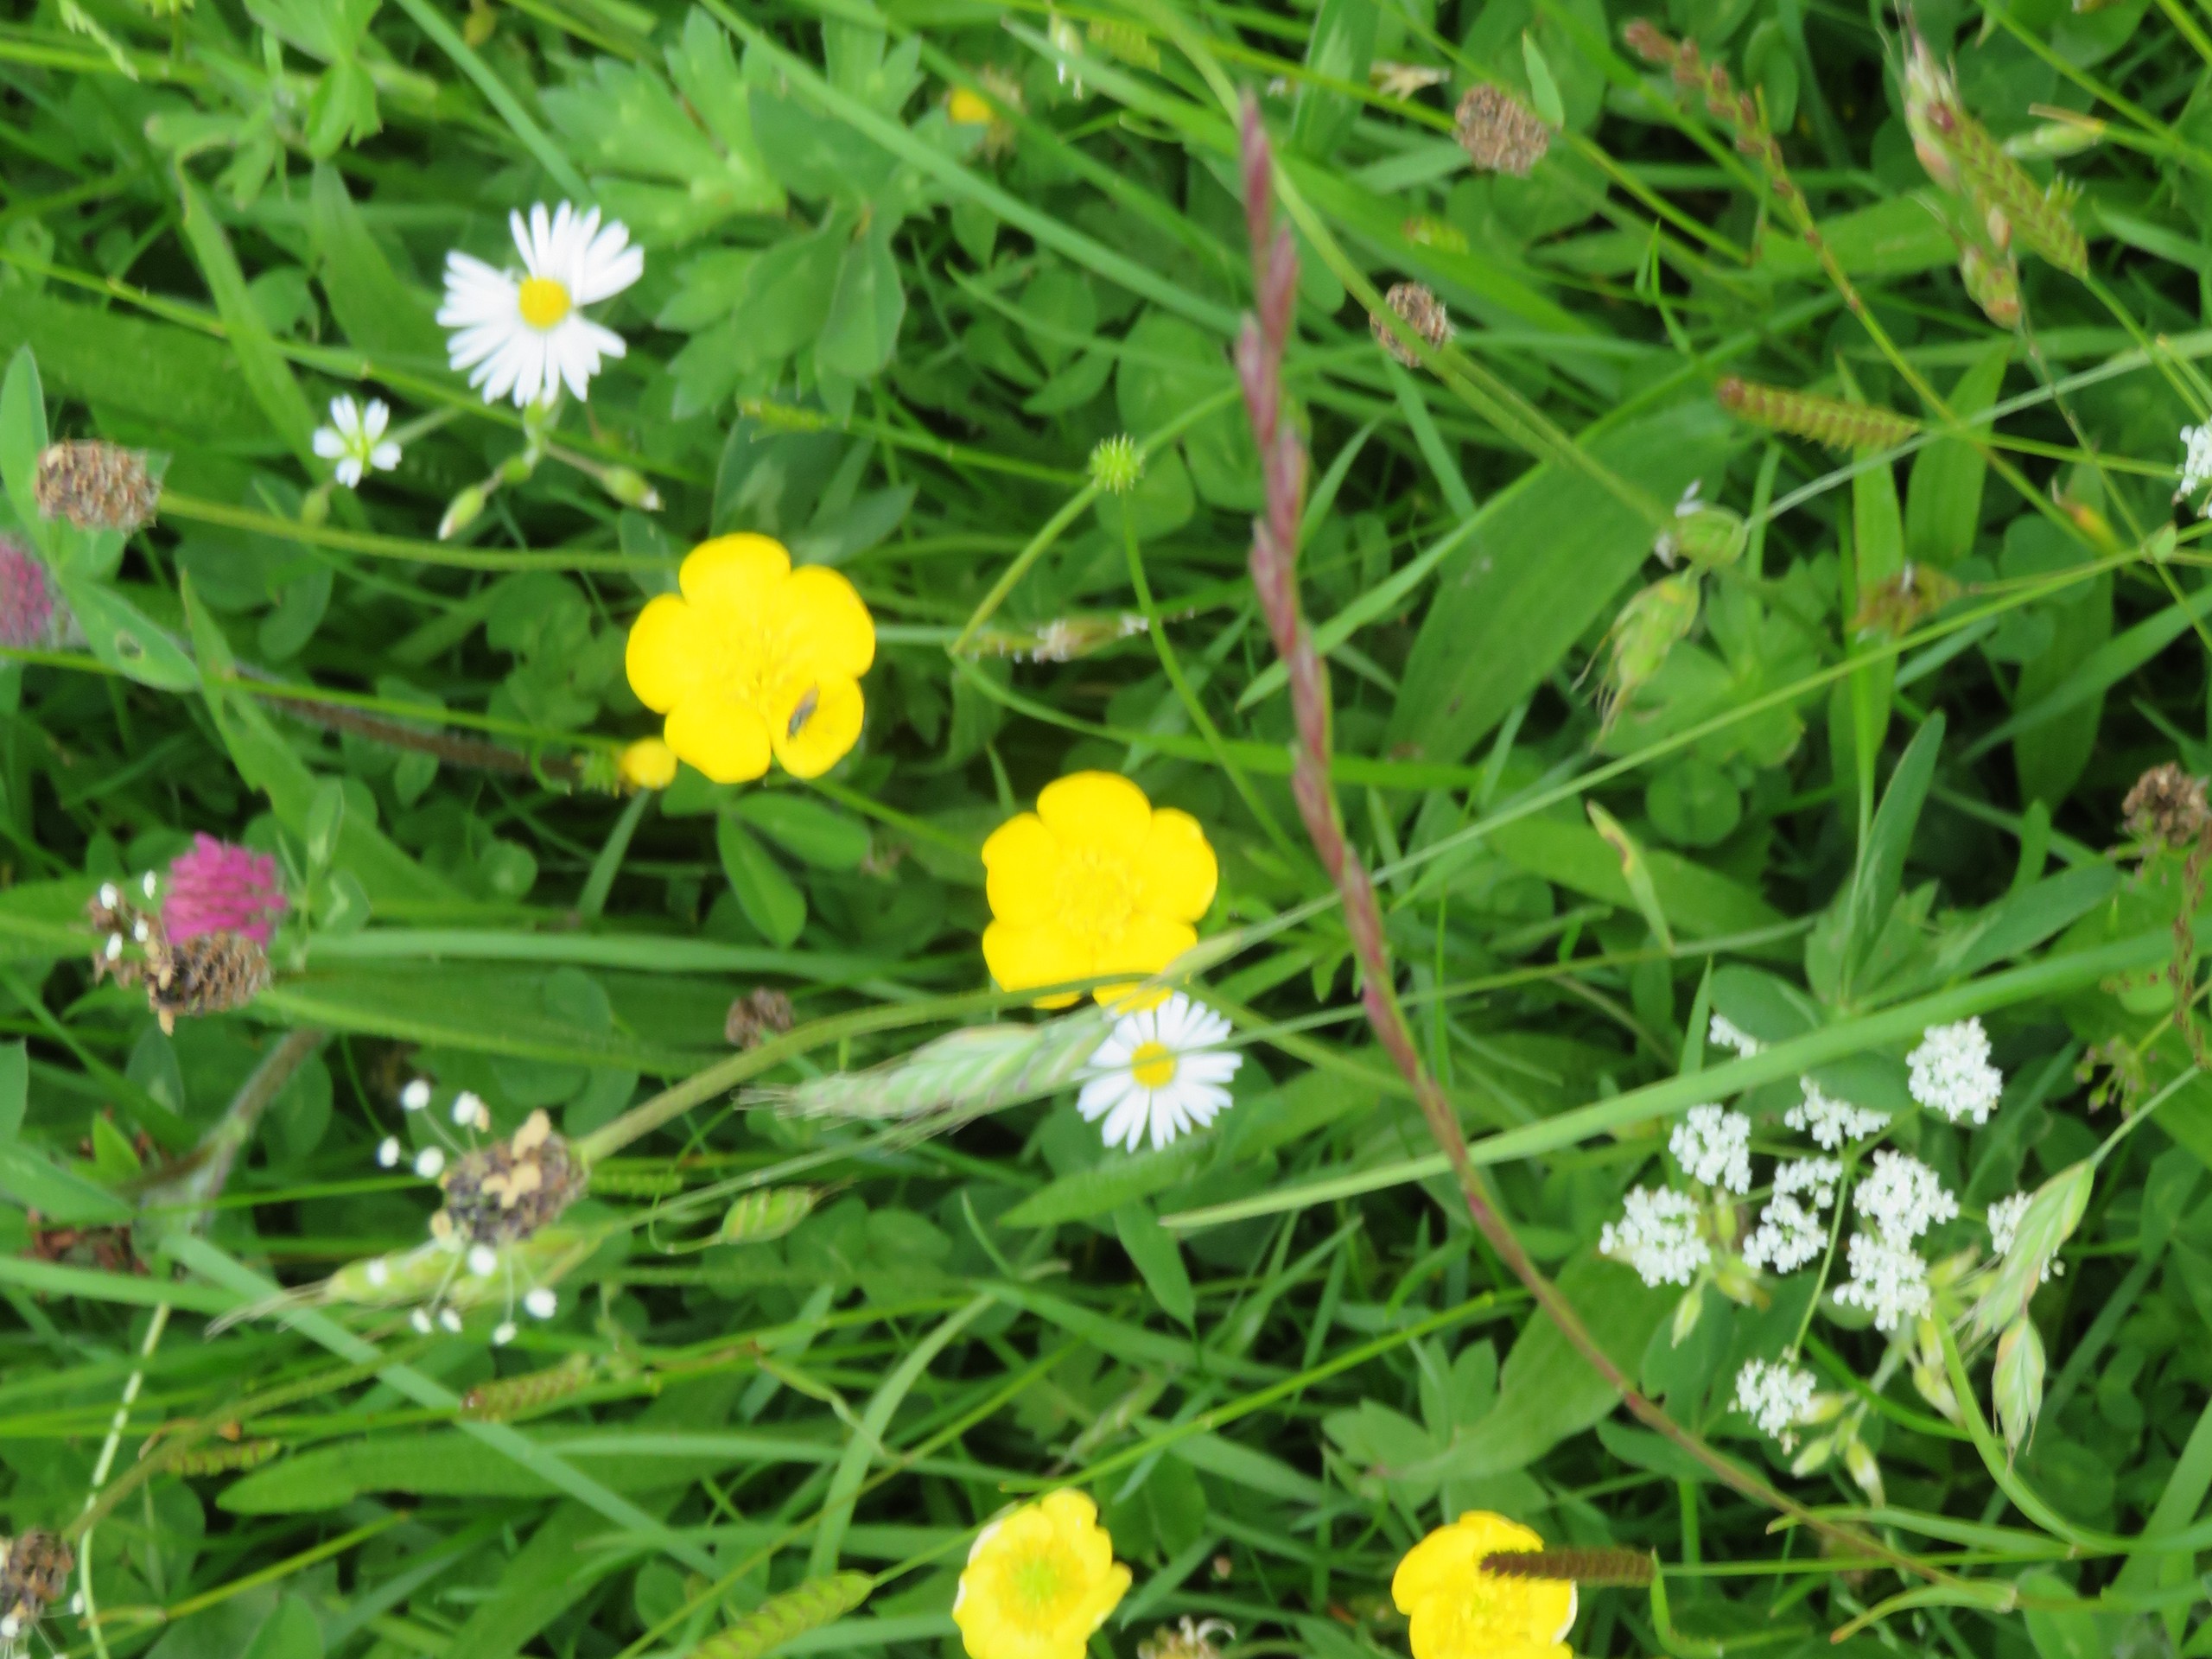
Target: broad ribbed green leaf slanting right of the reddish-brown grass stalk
(1543, 565)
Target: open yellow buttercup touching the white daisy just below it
(1094, 881)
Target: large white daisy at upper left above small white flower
(525, 337)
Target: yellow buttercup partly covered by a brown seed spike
(1459, 1611)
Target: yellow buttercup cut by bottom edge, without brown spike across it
(1039, 1583)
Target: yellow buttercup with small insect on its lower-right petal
(753, 660)
